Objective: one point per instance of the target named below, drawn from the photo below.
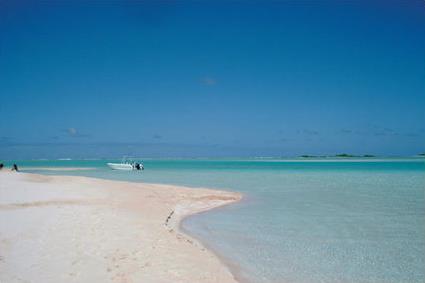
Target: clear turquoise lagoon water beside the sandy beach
(300, 221)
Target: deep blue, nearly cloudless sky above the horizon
(222, 78)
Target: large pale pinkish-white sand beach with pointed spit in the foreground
(78, 229)
